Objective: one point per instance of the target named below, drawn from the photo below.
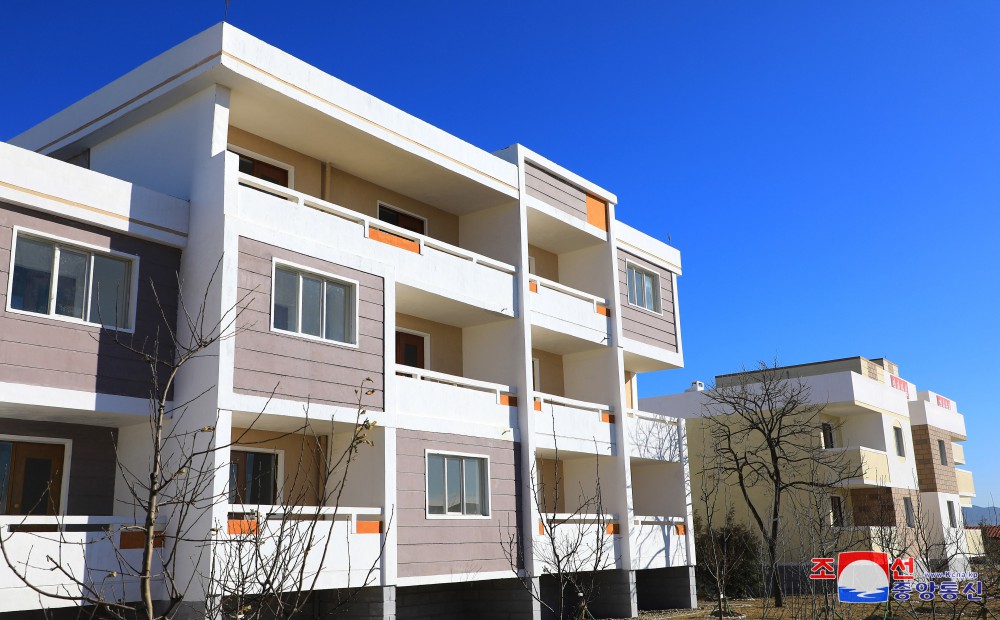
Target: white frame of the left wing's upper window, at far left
(56, 240)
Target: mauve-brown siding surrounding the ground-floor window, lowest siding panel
(444, 546)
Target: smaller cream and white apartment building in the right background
(904, 443)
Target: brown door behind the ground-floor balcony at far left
(35, 479)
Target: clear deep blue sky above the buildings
(830, 171)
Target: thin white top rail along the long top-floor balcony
(368, 223)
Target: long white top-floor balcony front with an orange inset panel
(421, 262)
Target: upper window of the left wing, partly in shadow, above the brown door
(63, 280)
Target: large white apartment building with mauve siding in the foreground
(492, 303)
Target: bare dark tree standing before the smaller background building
(765, 428)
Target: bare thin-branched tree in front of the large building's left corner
(269, 570)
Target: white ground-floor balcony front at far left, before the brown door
(86, 549)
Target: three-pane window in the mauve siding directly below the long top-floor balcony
(314, 305)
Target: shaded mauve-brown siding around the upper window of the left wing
(39, 350)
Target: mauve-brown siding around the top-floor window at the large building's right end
(641, 325)
